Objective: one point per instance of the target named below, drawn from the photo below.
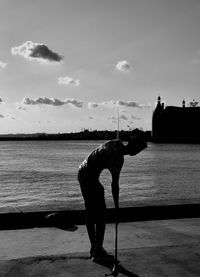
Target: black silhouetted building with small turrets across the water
(176, 122)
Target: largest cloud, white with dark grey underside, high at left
(36, 51)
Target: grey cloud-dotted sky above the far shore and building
(69, 65)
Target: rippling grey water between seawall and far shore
(38, 175)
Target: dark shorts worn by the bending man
(93, 195)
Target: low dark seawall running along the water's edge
(155, 211)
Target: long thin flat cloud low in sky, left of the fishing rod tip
(52, 102)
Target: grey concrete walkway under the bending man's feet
(169, 248)
